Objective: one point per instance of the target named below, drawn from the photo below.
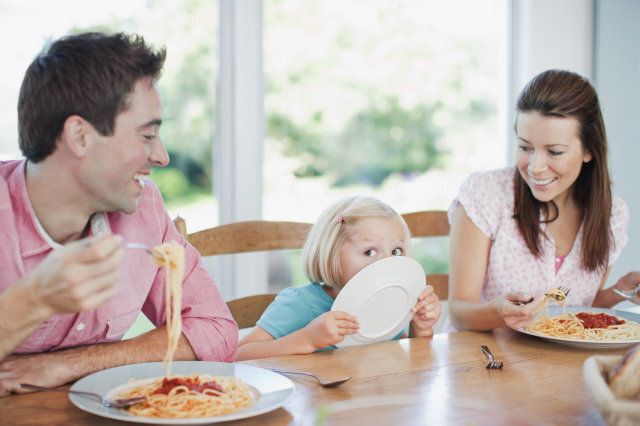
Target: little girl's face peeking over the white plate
(371, 239)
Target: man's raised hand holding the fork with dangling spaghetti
(78, 277)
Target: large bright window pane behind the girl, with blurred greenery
(398, 100)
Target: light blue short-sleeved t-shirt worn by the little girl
(294, 308)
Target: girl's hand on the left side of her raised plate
(330, 328)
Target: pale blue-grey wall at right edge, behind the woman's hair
(617, 78)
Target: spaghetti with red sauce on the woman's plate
(590, 326)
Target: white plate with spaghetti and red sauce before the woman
(586, 327)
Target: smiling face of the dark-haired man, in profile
(117, 165)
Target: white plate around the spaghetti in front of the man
(271, 390)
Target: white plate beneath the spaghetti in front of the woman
(594, 344)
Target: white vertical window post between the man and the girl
(239, 147)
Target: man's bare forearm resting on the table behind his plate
(57, 368)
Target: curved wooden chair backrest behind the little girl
(262, 235)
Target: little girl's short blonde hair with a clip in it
(321, 251)
